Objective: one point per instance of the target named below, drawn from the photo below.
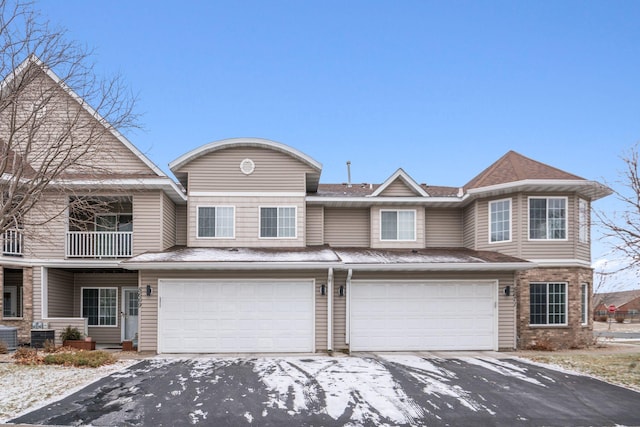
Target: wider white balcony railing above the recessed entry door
(99, 244)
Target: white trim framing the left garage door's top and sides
(311, 282)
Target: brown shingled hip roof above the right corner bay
(513, 167)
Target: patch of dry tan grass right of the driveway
(622, 369)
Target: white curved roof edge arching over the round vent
(243, 142)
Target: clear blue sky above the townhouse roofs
(441, 89)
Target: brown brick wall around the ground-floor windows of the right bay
(574, 334)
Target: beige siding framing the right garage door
(506, 305)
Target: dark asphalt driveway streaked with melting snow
(396, 390)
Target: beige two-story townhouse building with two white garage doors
(251, 253)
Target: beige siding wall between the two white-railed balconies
(46, 227)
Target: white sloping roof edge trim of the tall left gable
(33, 59)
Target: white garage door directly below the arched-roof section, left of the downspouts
(216, 316)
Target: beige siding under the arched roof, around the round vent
(220, 171)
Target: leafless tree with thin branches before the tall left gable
(54, 117)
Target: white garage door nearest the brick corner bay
(396, 316)
